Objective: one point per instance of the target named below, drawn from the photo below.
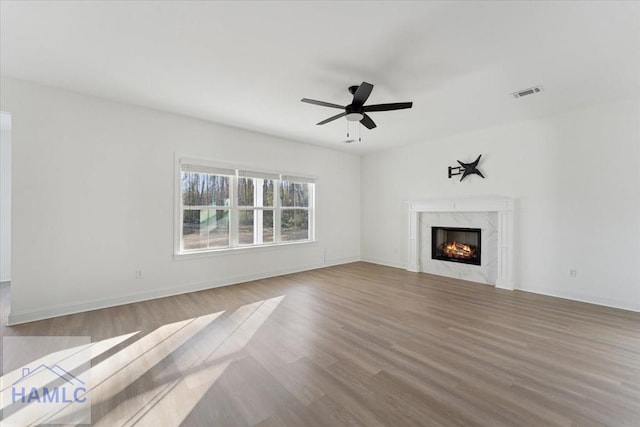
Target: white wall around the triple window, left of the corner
(93, 202)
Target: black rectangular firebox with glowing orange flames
(456, 244)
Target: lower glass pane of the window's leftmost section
(205, 228)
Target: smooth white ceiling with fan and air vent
(248, 64)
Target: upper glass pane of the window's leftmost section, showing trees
(201, 189)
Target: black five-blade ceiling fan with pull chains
(357, 111)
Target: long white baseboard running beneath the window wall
(80, 307)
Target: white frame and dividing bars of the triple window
(235, 173)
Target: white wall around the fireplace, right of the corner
(576, 179)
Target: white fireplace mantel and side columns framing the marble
(502, 206)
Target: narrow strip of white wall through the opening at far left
(5, 197)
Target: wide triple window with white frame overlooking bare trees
(223, 208)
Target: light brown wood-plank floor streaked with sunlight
(358, 345)
